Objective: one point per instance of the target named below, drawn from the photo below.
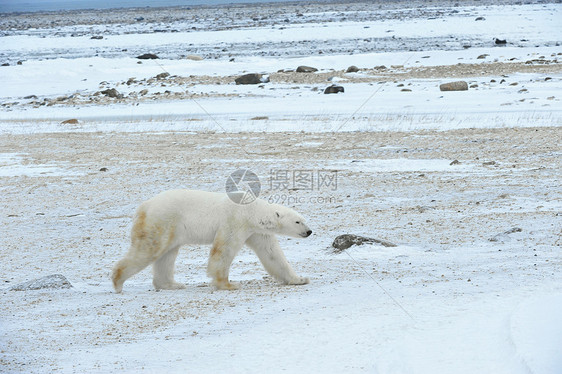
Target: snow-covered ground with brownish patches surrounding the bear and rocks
(467, 184)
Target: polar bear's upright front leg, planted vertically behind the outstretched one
(225, 247)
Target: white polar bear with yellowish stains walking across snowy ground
(178, 217)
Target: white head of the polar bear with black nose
(284, 221)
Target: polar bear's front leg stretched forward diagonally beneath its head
(273, 259)
